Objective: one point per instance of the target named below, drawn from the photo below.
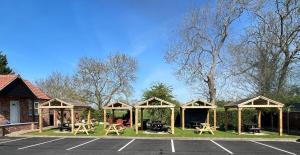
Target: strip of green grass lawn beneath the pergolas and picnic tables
(178, 133)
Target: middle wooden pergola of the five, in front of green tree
(153, 102)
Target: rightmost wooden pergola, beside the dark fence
(258, 102)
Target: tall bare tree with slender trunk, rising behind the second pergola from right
(202, 36)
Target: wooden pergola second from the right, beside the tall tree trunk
(198, 104)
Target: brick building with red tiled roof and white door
(19, 100)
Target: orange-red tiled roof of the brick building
(5, 80)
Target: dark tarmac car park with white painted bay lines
(92, 146)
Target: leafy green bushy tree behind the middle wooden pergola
(163, 92)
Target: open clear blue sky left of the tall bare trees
(40, 37)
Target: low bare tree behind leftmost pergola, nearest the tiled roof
(58, 85)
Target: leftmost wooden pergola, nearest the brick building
(62, 105)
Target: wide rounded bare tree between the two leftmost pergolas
(101, 81)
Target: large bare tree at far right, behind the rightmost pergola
(266, 55)
